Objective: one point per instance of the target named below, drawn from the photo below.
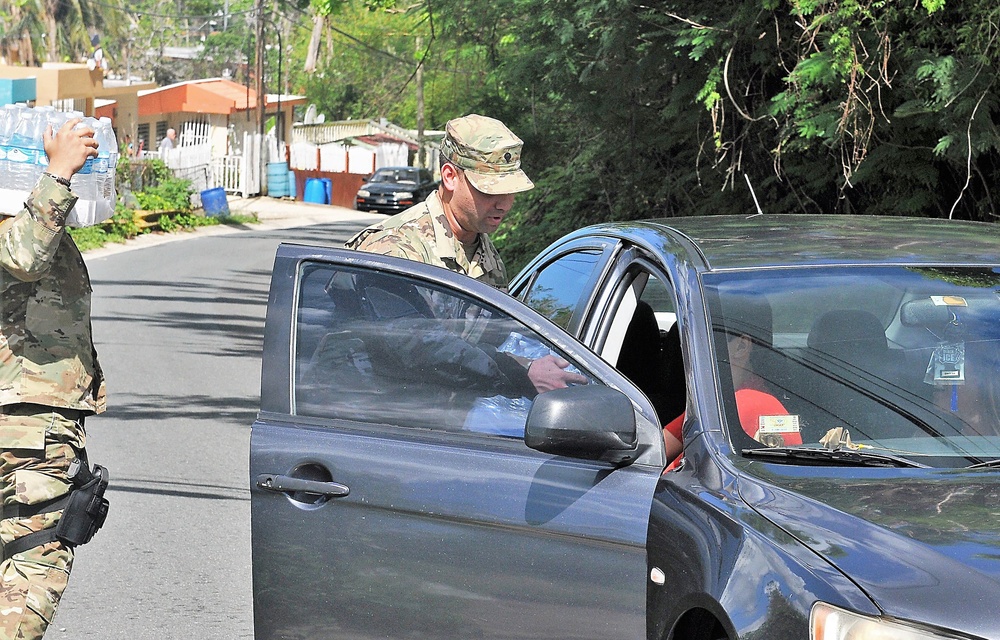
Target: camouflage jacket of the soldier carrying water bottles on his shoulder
(47, 353)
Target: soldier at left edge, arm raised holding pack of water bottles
(49, 380)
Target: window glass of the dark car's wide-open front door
(376, 347)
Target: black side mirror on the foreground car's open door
(591, 421)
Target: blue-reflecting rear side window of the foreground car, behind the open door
(559, 288)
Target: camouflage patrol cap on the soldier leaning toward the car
(488, 152)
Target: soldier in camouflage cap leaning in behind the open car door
(480, 173)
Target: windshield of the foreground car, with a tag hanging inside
(893, 360)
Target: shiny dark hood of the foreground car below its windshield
(924, 544)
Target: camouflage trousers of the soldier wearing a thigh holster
(37, 445)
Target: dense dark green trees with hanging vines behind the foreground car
(638, 109)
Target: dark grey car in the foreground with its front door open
(405, 485)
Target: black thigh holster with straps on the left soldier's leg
(84, 510)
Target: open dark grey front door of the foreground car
(392, 492)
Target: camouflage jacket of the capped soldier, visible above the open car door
(422, 233)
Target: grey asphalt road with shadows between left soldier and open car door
(179, 328)
